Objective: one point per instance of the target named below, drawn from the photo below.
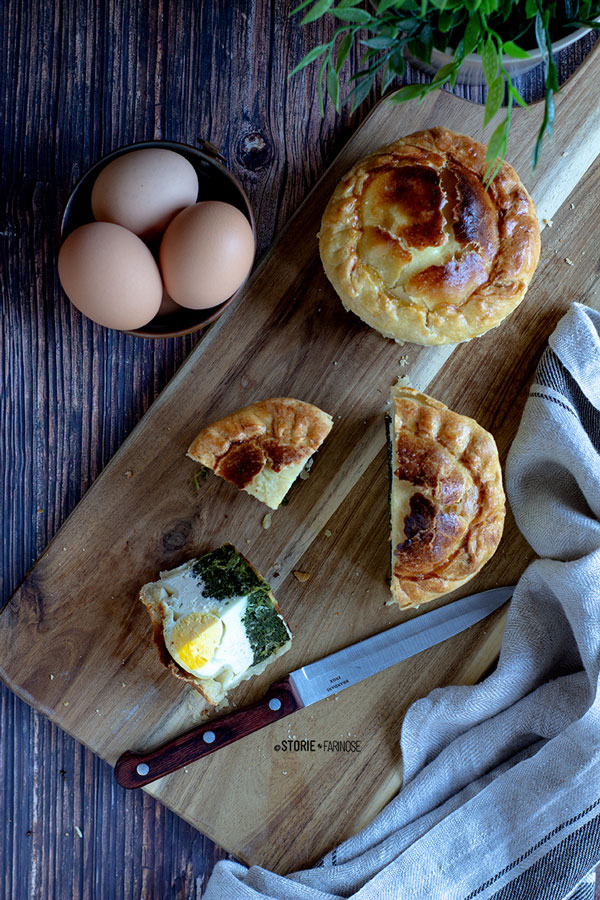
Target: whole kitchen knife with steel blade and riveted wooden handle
(310, 684)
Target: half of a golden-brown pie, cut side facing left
(446, 498)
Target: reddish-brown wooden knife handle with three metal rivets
(134, 770)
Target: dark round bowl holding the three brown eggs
(215, 183)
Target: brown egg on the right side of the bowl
(206, 254)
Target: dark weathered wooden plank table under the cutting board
(78, 80)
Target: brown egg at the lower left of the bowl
(110, 276)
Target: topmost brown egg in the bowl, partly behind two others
(143, 190)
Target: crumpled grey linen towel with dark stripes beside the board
(501, 794)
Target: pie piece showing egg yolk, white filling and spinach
(216, 622)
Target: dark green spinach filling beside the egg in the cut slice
(225, 574)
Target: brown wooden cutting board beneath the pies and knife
(76, 644)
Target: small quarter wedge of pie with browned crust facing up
(263, 447)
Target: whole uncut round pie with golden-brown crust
(416, 246)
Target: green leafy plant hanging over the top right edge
(493, 29)
